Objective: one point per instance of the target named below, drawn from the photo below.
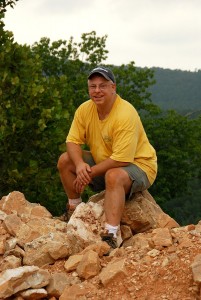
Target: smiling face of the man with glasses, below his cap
(101, 91)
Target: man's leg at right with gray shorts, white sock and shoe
(120, 182)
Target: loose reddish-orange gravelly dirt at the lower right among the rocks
(162, 274)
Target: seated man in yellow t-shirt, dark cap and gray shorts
(121, 159)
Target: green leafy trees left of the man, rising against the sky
(40, 88)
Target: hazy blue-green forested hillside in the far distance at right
(176, 89)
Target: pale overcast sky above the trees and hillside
(153, 33)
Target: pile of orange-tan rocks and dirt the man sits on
(42, 257)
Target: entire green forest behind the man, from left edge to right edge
(41, 86)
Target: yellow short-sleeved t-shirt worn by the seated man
(120, 136)
